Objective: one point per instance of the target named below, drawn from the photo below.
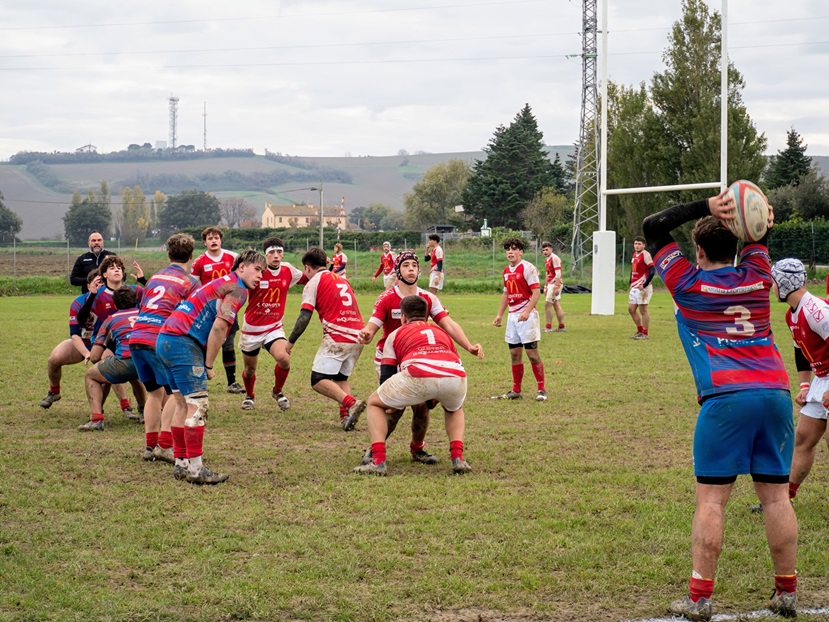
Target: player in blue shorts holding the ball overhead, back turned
(745, 423)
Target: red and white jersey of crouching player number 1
(424, 350)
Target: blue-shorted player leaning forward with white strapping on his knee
(188, 345)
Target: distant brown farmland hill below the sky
(360, 180)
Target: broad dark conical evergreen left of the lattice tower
(515, 170)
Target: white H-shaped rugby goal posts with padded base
(604, 242)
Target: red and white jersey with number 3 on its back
(335, 303)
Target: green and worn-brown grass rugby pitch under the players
(577, 509)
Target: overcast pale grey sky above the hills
(365, 77)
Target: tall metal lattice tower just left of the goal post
(586, 210)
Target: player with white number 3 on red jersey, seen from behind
(339, 314)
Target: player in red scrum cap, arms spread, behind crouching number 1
(387, 314)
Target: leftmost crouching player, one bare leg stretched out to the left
(75, 350)
